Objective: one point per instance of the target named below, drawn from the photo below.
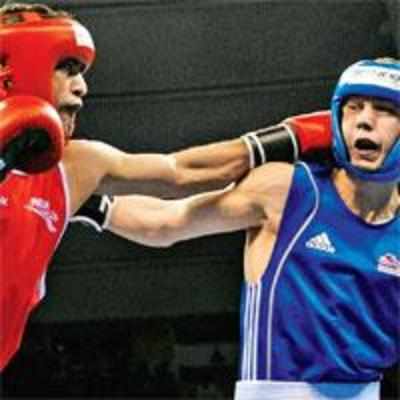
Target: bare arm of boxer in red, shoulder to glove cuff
(175, 175)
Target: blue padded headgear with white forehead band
(367, 78)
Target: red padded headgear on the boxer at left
(32, 47)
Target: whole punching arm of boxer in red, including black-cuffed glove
(196, 169)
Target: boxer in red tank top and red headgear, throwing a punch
(46, 176)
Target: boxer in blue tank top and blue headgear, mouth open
(320, 303)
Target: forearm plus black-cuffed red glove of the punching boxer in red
(303, 136)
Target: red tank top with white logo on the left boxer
(33, 217)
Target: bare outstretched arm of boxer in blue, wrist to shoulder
(156, 222)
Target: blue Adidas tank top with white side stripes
(327, 308)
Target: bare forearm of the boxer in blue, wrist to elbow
(161, 223)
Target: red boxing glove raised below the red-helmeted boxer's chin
(31, 135)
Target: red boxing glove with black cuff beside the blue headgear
(301, 136)
